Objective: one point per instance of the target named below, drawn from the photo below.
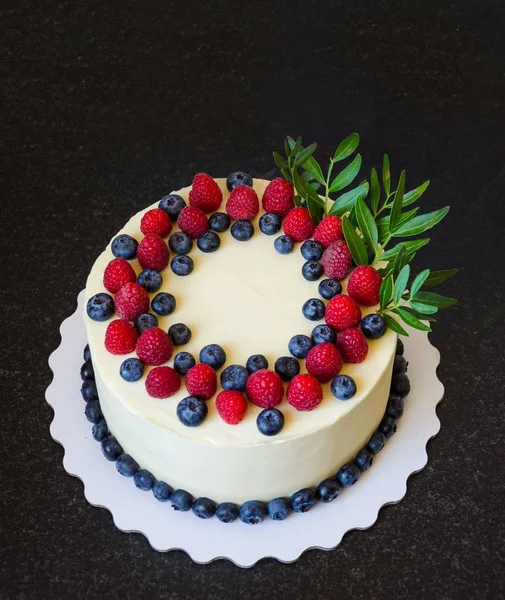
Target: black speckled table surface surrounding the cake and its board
(108, 107)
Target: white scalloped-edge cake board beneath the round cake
(205, 541)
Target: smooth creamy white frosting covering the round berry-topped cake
(247, 298)
